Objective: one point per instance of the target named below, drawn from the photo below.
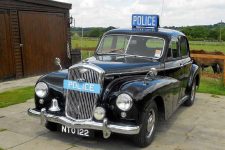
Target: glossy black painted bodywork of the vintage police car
(127, 74)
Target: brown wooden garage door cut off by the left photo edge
(6, 57)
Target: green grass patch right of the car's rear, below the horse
(212, 86)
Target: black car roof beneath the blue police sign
(161, 32)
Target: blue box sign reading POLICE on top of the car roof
(140, 20)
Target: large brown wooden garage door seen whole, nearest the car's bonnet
(43, 37)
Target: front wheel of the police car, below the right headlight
(149, 123)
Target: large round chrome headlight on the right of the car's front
(124, 102)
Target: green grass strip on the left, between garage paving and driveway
(16, 96)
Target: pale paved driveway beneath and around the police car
(201, 126)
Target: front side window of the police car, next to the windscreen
(173, 51)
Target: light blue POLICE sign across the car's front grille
(82, 86)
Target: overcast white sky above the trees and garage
(117, 13)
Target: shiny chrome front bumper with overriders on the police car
(104, 126)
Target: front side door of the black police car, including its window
(173, 68)
